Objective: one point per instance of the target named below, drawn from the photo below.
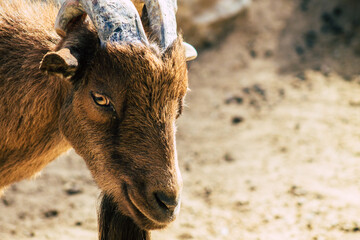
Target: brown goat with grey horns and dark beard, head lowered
(107, 88)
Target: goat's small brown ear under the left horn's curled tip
(61, 62)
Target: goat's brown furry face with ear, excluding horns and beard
(120, 117)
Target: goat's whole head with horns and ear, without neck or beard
(126, 95)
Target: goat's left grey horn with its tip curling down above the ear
(115, 20)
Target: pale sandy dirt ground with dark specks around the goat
(269, 144)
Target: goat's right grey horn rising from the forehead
(162, 20)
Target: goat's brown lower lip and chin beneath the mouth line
(139, 216)
